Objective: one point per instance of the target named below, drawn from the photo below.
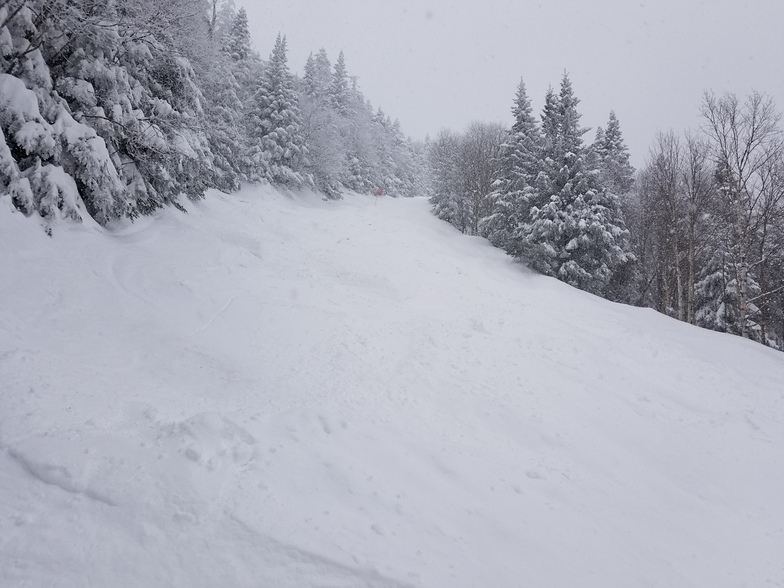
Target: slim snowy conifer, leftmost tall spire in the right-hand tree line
(515, 193)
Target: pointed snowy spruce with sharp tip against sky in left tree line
(277, 144)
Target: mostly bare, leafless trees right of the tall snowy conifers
(708, 218)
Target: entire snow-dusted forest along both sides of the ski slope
(114, 109)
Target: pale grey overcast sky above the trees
(441, 64)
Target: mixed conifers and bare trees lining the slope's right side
(697, 234)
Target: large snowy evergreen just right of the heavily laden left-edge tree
(149, 107)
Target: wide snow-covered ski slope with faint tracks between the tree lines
(278, 391)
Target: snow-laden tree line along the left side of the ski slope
(114, 108)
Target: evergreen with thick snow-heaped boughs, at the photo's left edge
(50, 163)
